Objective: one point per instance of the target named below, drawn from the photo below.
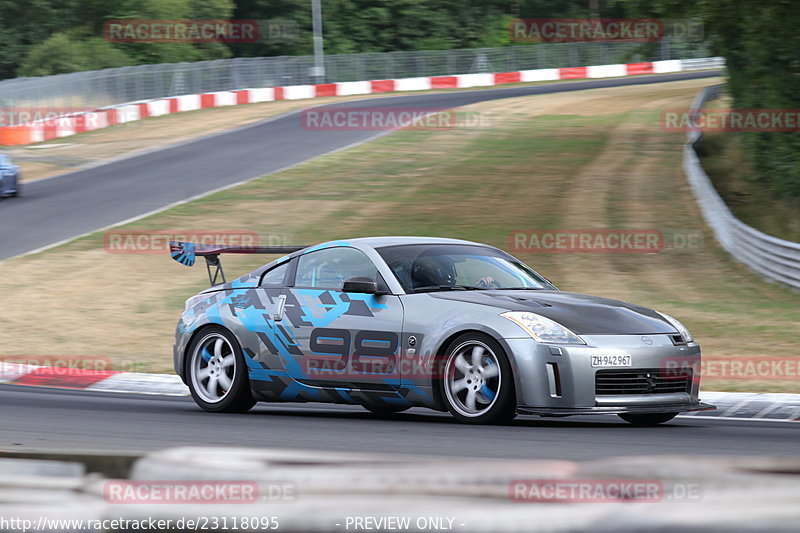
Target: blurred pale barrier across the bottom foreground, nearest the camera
(335, 492)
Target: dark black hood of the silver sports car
(581, 313)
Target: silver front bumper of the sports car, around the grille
(559, 380)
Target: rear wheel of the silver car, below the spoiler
(230, 392)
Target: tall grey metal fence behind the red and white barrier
(145, 82)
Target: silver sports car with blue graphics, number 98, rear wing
(391, 323)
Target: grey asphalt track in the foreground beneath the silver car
(42, 419)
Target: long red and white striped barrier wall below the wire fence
(121, 114)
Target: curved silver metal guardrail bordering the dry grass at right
(771, 257)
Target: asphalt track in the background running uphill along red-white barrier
(70, 205)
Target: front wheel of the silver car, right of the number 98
(477, 384)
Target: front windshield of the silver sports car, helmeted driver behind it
(425, 267)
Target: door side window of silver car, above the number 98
(328, 269)
